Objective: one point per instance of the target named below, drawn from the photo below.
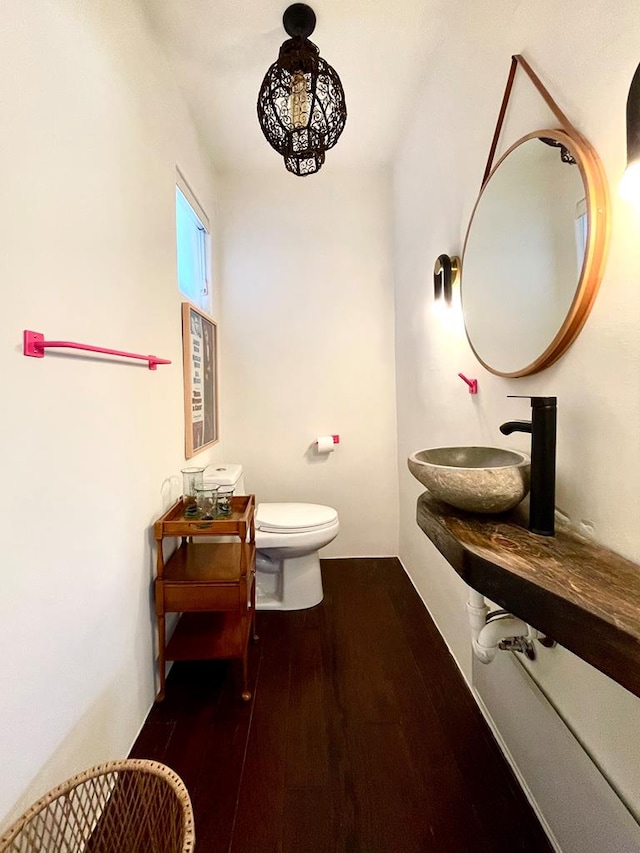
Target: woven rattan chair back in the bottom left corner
(129, 806)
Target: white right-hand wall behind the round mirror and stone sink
(586, 61)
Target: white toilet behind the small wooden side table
(288, 538)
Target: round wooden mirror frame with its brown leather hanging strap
(597, 199)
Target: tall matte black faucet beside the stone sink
(542, 427)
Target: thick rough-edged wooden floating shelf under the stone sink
(569, 588)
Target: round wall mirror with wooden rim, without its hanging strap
(534, 252)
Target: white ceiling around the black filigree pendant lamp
(221, 49)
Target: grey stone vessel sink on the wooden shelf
(476, 479)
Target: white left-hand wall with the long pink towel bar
(92, 131)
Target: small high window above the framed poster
(194, 247)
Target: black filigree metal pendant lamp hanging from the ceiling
(301, 105)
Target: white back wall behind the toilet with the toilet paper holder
(309, 350)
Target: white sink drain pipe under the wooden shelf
(491, 632)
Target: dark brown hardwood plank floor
(361, 736)
